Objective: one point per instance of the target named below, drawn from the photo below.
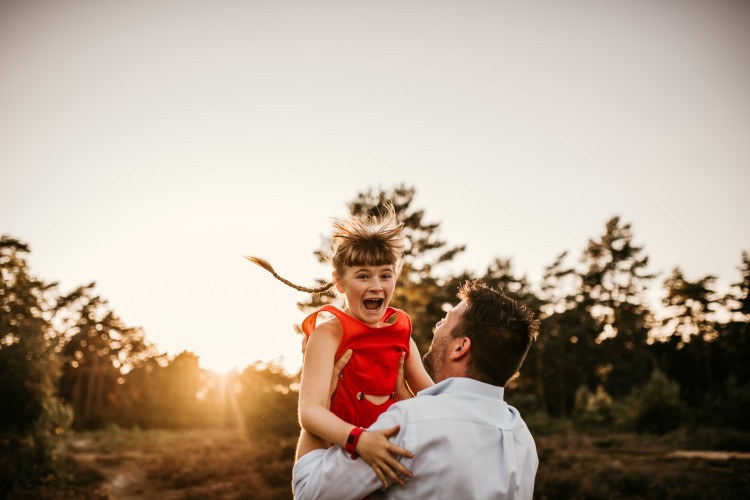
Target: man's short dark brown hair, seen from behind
(501, 330)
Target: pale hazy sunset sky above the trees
(149, 145)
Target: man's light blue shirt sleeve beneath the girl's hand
(333, 474)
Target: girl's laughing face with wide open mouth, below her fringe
(368, 291)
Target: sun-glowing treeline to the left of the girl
(67, 361)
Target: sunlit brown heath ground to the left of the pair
(216, 464)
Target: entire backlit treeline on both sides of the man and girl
(605, 357)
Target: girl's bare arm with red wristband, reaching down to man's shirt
(316, 418)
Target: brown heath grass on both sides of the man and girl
(222, 464)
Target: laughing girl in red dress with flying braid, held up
(366, 261)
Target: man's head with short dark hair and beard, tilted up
(485, 337)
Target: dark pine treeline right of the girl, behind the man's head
(606, 356)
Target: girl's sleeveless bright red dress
(373, 367)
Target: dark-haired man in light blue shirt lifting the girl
(465, 441)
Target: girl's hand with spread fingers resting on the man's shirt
(375, 449)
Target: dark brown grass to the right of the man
(628, 466)
